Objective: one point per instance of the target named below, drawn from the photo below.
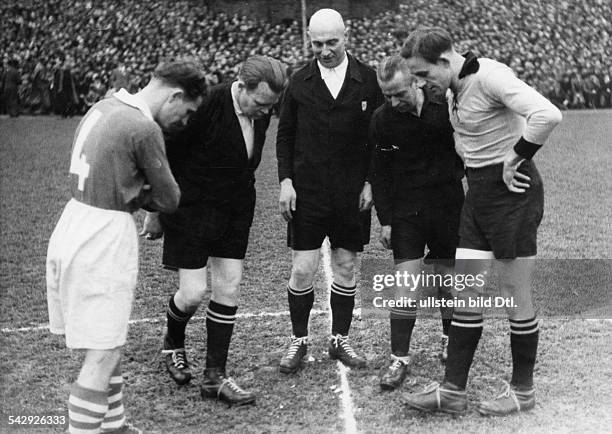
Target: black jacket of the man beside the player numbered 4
(209, 161)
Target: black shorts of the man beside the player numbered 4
(190, 238)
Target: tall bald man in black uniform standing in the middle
(323, 158)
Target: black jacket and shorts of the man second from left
(210, 163)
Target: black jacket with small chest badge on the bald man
(322, 143)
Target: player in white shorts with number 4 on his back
(118, 165)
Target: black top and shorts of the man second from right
(417, 179)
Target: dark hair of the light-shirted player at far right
(428, 43)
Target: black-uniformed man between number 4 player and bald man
(214, 161)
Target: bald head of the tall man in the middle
(327, 37)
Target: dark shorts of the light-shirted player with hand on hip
(495, 219)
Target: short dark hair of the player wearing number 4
(186, 74)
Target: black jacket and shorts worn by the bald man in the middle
(322, 146)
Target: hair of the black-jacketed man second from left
(256, 69)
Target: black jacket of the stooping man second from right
(415, 162)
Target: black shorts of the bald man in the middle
(317, 217)
